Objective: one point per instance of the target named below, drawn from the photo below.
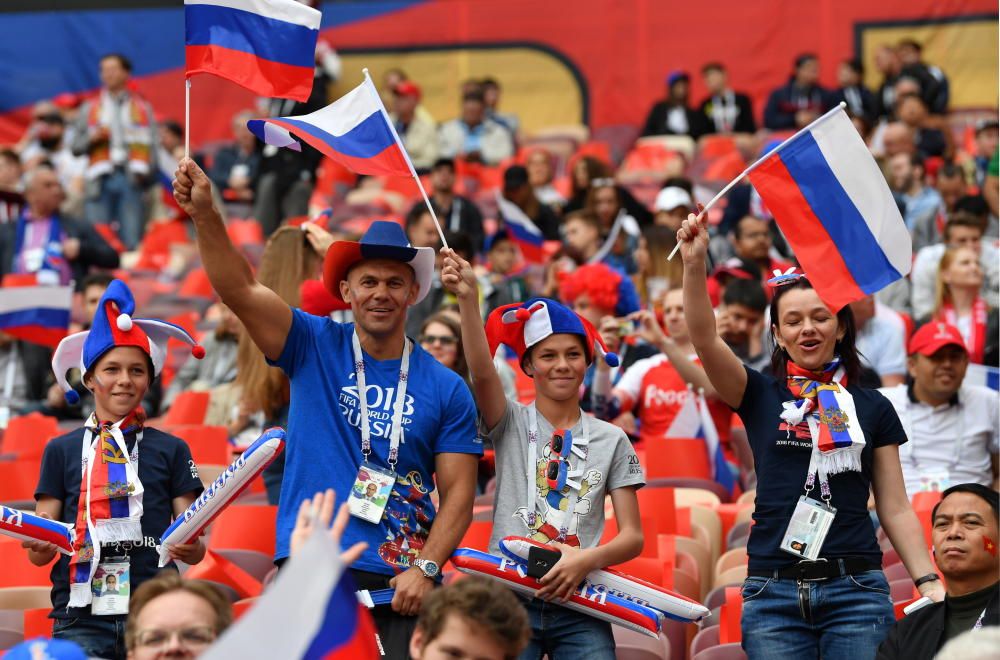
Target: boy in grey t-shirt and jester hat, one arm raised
(555, 463)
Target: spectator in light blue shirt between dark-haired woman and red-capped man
(880, 340)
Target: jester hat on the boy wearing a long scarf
(113, 326)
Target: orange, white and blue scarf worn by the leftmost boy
(111, 493)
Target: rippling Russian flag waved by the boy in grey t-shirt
(354, 130)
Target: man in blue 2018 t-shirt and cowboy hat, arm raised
(411, 402)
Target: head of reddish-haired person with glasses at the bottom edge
(175, 618)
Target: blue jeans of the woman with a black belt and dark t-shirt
(843, 617)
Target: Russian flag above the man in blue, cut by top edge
(267, 46)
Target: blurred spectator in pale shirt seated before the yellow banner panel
(474, 136)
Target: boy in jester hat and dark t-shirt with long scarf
(117, 482)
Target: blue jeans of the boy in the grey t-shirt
(563, 634)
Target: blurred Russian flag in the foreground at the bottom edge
(310, 612)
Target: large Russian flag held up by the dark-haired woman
(835, 208)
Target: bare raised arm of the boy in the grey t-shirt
(459, 279)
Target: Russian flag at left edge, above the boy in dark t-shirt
(36, 314)
